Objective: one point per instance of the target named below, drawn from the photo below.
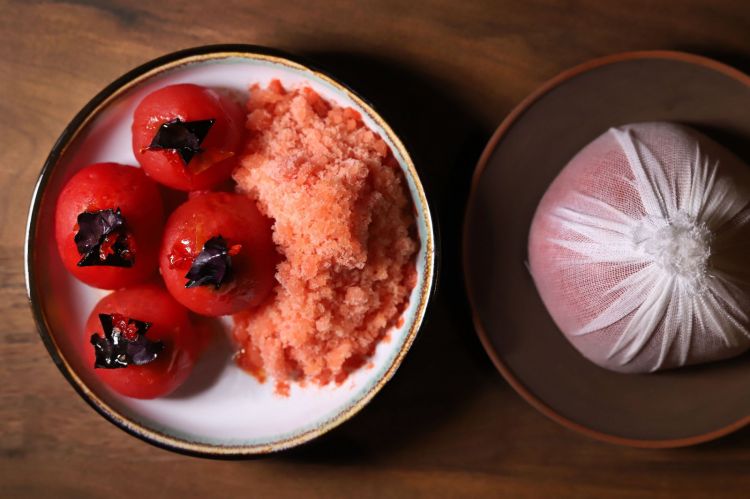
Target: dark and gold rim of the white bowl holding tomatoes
(81, 119)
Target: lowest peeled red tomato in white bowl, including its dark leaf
(141, 342)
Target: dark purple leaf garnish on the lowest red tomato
(114, 351)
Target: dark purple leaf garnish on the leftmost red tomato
(93, 229)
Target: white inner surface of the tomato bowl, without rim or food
(219, 404)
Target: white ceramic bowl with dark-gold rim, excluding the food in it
(220, 410)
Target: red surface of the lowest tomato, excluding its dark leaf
(170, 324)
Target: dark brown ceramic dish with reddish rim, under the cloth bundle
(668, 409)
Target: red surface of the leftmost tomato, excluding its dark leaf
(103, 186)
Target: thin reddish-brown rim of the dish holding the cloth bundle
(496, 138)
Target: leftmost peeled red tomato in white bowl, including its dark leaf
(108, 224)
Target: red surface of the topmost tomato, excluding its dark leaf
(187, 103)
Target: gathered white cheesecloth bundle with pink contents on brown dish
(640, 249)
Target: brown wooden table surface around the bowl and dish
(445, 73)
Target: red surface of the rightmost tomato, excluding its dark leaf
(247, 232)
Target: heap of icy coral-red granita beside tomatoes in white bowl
(344, 225)
